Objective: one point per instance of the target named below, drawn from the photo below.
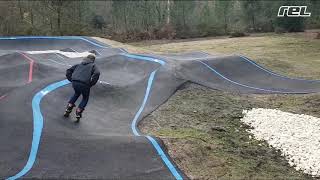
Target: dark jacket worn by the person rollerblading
(86, 72)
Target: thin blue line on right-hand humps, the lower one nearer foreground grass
(250, 87)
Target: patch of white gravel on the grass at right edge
(297, 136)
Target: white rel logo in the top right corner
(293, 11)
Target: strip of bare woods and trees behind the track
(137, 20)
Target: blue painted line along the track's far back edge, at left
(54, 37)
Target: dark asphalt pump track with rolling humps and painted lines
(37, 142)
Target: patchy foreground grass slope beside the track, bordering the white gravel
(204, 136)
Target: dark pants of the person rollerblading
(80, 89)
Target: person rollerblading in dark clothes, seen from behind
(83, 76)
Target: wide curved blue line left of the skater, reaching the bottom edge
(37, 126)
